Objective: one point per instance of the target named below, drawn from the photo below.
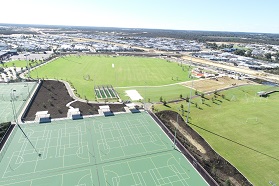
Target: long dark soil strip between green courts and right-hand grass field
(221, 170)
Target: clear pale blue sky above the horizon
(216, 15)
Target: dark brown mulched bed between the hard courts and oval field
(53, 97)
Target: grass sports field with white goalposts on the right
(245, 118)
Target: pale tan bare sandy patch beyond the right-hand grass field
(209, 85)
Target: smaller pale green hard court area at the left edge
(19, 92)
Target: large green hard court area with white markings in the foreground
(125, 149)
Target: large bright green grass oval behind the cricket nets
(85, 72)
